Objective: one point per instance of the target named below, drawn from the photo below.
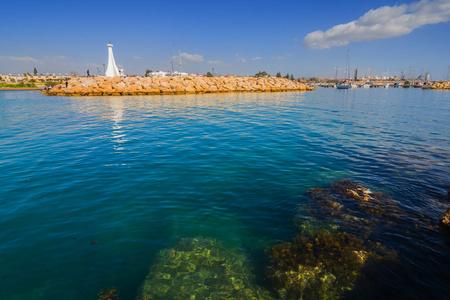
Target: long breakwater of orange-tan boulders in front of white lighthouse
(117, 86)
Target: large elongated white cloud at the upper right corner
(381, 23)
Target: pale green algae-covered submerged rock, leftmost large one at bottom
(201, 268)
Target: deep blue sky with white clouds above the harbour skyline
(305, 38)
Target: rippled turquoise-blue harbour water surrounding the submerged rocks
(93, 188)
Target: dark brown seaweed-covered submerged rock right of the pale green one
(321, 266)
